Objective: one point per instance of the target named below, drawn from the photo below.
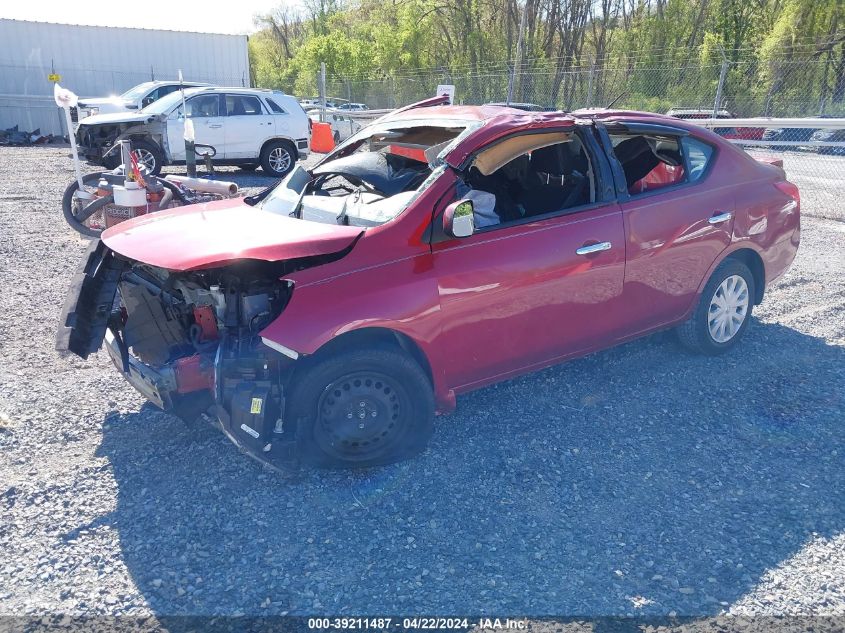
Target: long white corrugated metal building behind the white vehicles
(96, 61)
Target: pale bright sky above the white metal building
(211, 17)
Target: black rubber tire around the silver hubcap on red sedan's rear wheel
(695, 334)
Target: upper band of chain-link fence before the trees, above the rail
(781, 88)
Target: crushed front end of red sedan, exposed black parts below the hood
(188, 341)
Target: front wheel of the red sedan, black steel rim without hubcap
(382, 387)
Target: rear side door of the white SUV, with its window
(248, 125)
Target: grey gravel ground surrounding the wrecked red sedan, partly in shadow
(640, 480)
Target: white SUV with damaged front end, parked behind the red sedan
(248, 127)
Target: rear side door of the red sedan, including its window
(677, 218)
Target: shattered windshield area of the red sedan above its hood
(389, 166)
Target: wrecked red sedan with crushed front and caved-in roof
(439, 250)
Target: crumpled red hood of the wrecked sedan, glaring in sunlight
(217, 233)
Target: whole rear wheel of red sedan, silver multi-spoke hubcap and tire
(723, 311)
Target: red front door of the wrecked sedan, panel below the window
(520, 294)
